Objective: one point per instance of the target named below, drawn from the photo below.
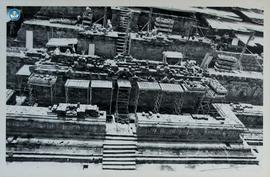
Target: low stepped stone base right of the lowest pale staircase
(193, 153)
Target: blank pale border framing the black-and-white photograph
(26, 171)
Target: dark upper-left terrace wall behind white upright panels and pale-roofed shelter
(104, 45)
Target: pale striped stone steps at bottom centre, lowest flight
(119, 152)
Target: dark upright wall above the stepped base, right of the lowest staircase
(186, 134)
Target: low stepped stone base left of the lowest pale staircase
(54, 151)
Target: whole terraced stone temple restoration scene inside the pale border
(124, 87)
